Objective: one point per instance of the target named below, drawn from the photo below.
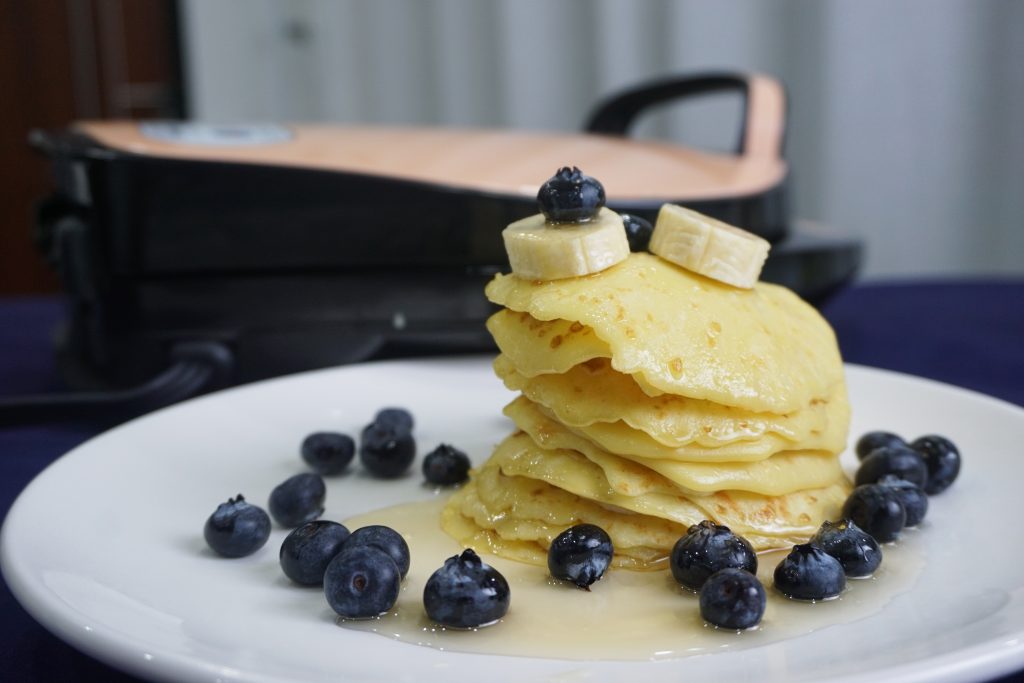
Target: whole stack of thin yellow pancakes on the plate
(651, 399)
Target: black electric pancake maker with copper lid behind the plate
(249, 251)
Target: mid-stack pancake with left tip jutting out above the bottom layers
(783, 474)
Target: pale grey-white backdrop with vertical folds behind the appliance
(907, 123)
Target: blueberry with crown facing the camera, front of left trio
(362, 582)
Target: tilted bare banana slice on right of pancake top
(709, 247)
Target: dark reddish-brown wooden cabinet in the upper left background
(62, 61)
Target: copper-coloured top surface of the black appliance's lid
(507, 162)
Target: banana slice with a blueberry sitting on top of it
(539, 250)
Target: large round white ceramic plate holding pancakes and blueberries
(105, 548)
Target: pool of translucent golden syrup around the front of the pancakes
(626, 616)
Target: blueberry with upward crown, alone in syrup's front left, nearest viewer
(465, 593)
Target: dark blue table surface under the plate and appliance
(968, 333)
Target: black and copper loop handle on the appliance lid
(763, 129)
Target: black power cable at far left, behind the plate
(197, 368)
